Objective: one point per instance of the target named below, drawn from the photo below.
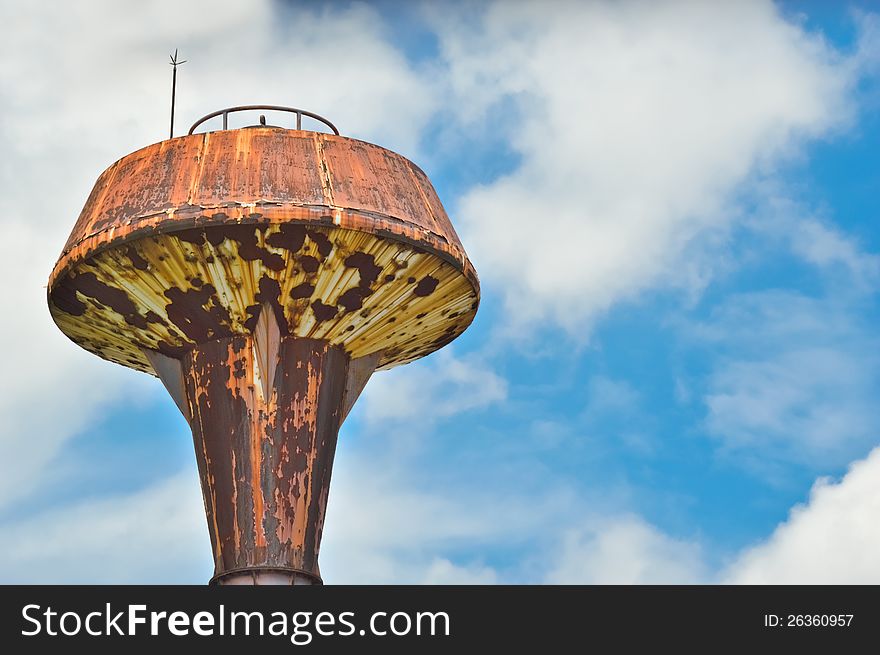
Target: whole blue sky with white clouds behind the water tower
(672, 207)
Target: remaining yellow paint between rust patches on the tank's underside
(448, 310)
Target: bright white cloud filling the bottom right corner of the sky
(833, 539)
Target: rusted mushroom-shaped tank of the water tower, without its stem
(181, 241)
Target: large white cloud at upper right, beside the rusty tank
(636, 125)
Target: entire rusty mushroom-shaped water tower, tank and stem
(263, 274)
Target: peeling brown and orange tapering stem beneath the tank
(265, 461)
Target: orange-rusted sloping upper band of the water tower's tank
(204, 178)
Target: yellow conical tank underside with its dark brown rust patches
(356, 290)
